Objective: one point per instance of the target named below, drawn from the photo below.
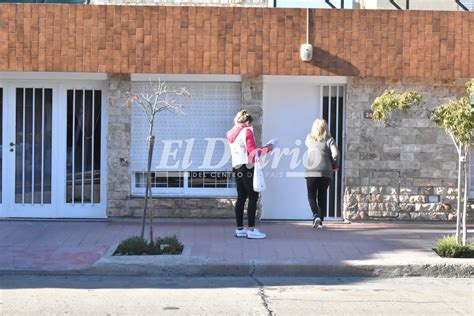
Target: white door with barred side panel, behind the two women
(289, 108)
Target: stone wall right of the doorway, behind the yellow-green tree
(407, 170)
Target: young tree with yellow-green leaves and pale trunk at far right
(456, 118)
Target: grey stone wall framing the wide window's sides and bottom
(120, 201)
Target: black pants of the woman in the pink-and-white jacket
(244, 179)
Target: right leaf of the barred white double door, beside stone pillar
(82, 144)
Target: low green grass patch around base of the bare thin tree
(138, 246)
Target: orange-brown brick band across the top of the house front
(162, 39)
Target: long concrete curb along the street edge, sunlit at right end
(207, 269)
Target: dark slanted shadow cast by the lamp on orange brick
(333, 64)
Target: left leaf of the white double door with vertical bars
(30, 176)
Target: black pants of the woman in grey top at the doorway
(317, 195)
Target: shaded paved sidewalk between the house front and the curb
(72, 245)
